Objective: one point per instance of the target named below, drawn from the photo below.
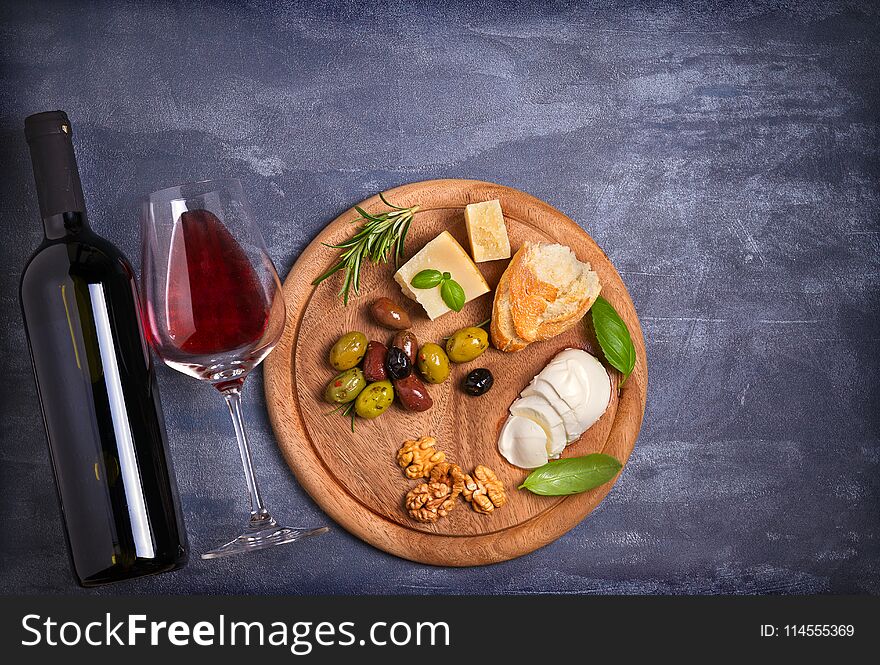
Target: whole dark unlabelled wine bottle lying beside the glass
(95, 381)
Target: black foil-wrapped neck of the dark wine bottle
(56, 175)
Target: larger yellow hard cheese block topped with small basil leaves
(443, 253)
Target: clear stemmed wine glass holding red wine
(215, 310)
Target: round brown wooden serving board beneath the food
(354, 477)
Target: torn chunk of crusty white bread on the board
(544, 292)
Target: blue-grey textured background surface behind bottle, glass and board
(724, 154)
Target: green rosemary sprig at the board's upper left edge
(379, 237)
